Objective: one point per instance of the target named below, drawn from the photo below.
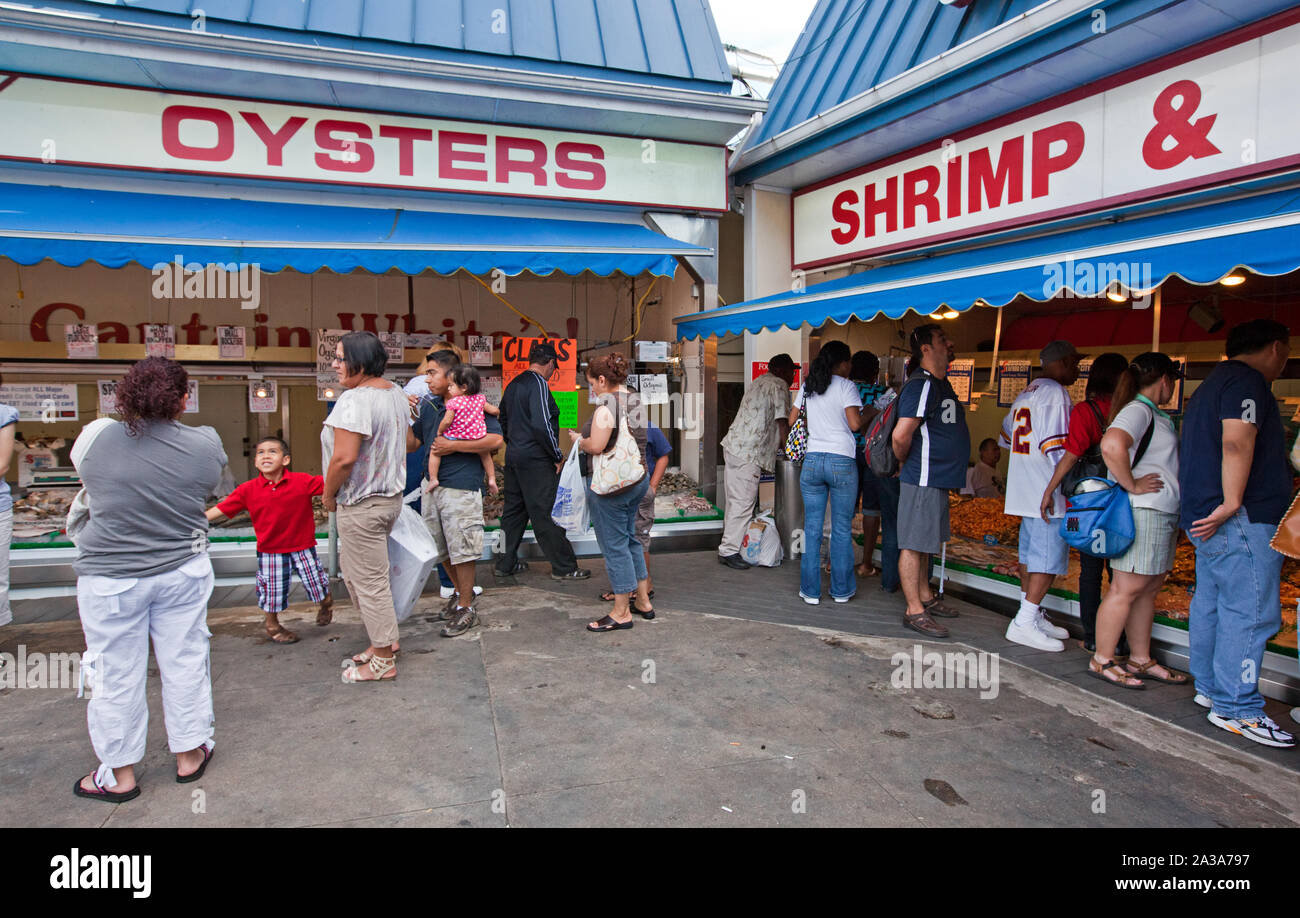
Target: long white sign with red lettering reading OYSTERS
(90, 124)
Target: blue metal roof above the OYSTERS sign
(655, 41)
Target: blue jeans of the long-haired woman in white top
(829, 478)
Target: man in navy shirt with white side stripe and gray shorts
(933, 445)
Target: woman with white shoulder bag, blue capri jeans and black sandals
(619, 480)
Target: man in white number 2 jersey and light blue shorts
(1034, 436)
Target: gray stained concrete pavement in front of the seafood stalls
(692, 720)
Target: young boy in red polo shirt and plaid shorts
(280, 505)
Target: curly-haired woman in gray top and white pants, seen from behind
(144, 571)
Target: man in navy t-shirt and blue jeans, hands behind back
(1236, 488)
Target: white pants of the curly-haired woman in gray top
(119, 618)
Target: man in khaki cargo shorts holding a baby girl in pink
(454, 510)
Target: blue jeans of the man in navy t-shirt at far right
(1234, 612)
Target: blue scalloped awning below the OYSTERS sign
(116, 228)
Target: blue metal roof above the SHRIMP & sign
(851, 46)
